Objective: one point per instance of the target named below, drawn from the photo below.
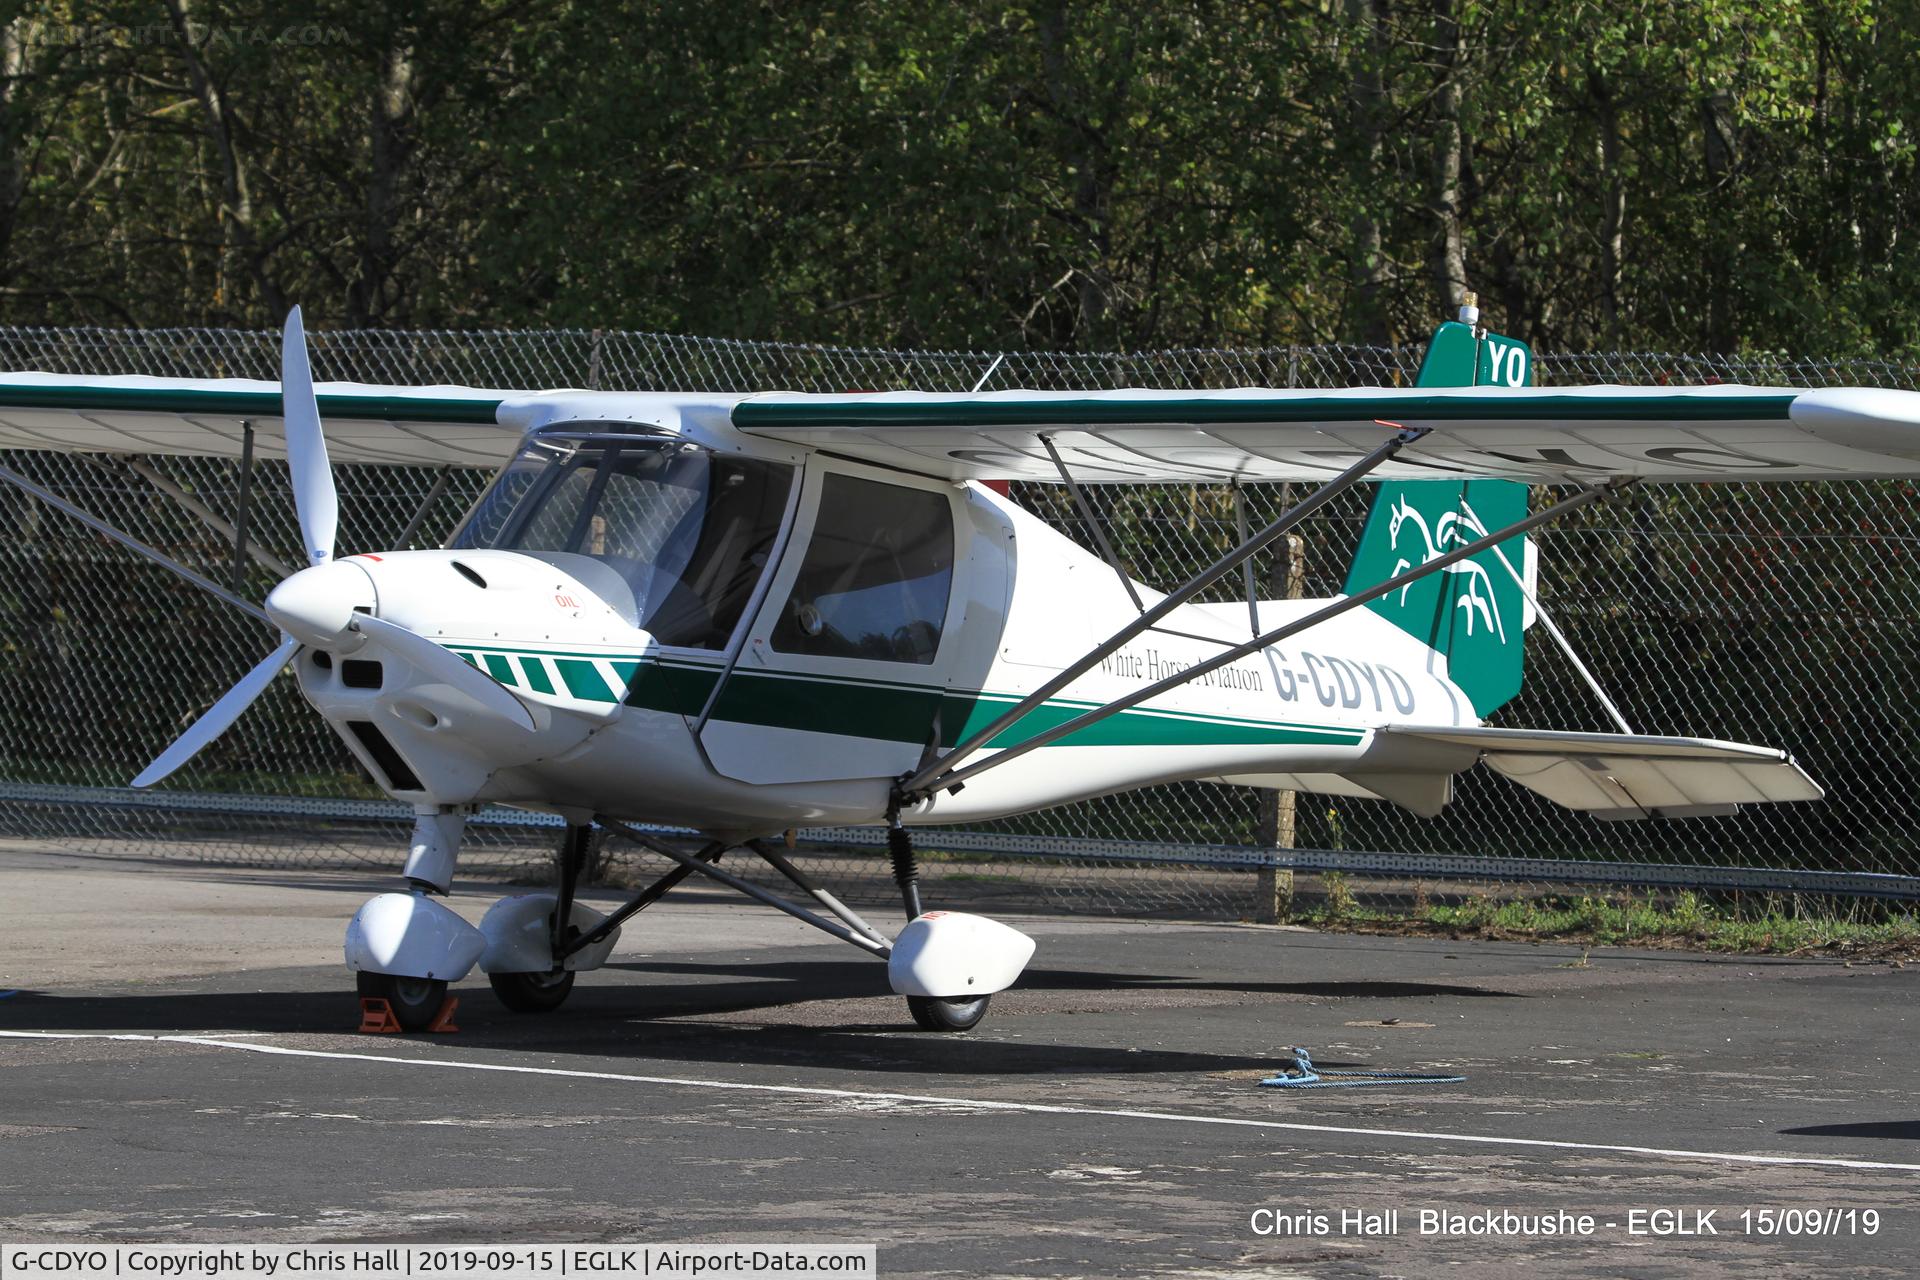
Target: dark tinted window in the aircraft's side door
(876, 577)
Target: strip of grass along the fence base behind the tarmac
(1765, 928)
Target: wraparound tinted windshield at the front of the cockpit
(671, 534)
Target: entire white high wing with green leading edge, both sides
(1537, 435)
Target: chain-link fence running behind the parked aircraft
(1781, 615)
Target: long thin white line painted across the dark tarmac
(984, 1104)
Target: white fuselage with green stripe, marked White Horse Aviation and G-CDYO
(738, 636)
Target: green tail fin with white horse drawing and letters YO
(1474, 613)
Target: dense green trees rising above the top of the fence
(1716, 176)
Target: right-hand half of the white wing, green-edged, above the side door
(1537, 435)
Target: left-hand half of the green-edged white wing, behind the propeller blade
(433, 425)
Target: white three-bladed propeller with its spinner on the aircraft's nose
(320, 604)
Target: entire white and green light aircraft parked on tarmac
(754, 613)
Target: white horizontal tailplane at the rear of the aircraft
(1625, 776)
